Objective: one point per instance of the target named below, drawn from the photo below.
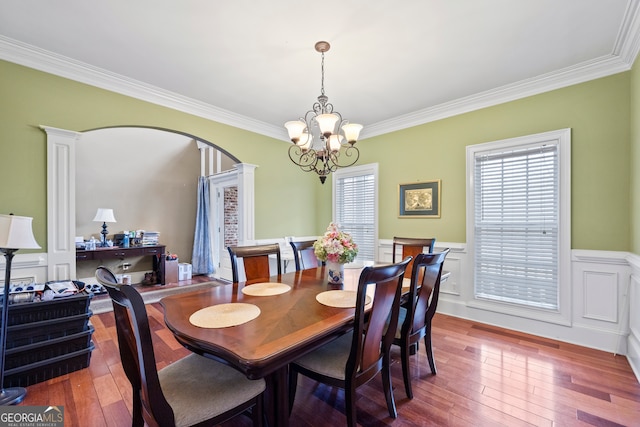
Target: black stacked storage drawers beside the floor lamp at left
(46, 339)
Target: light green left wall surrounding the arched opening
(28, 98)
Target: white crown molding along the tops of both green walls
(625, 50)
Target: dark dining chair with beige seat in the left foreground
(191, 391)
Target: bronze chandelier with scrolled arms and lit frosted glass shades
(322, 140)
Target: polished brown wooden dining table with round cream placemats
(283, 325)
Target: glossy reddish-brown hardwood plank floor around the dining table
(487, 376)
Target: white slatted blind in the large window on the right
(516, 225)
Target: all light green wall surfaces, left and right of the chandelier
(289, 202)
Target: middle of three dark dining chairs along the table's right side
(414, 320)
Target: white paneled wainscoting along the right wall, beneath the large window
(603, 290)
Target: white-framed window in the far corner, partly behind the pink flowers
(355, 207)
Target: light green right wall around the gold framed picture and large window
(596, 111)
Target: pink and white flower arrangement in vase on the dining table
(336, 248)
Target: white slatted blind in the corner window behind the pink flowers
(355, 211)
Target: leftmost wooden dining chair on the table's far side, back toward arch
(256, 261)
